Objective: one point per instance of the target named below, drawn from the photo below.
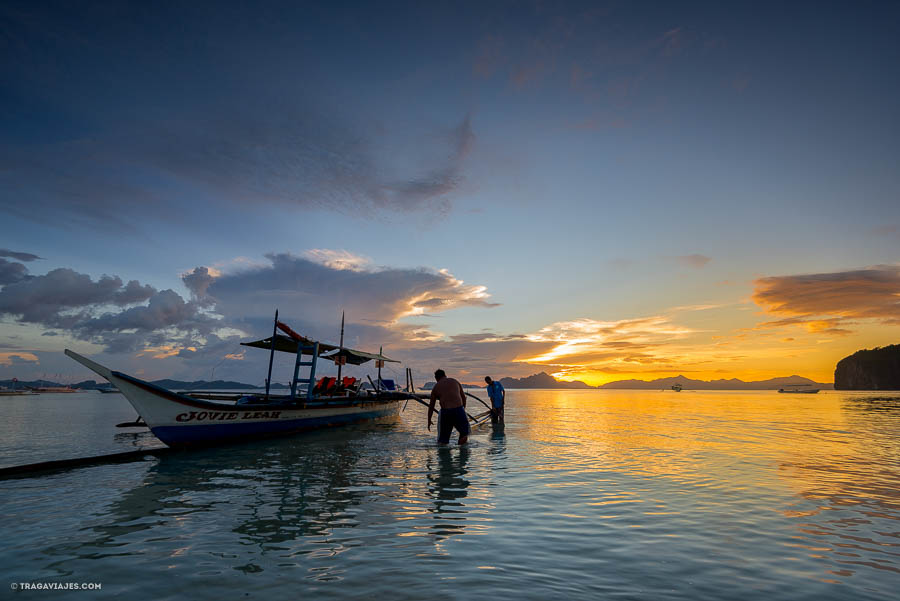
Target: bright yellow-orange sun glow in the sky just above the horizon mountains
(647, 349)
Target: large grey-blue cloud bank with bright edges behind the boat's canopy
(225, 307)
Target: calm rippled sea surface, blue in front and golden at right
(583, 495)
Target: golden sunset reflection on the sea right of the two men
(836, 463)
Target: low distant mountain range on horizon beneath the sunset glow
(545, 380)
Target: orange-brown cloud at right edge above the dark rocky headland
(826, 302)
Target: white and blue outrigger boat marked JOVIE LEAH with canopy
(194, 419)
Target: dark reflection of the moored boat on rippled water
(271, 491)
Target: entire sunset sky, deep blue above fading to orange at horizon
(600, 191)
